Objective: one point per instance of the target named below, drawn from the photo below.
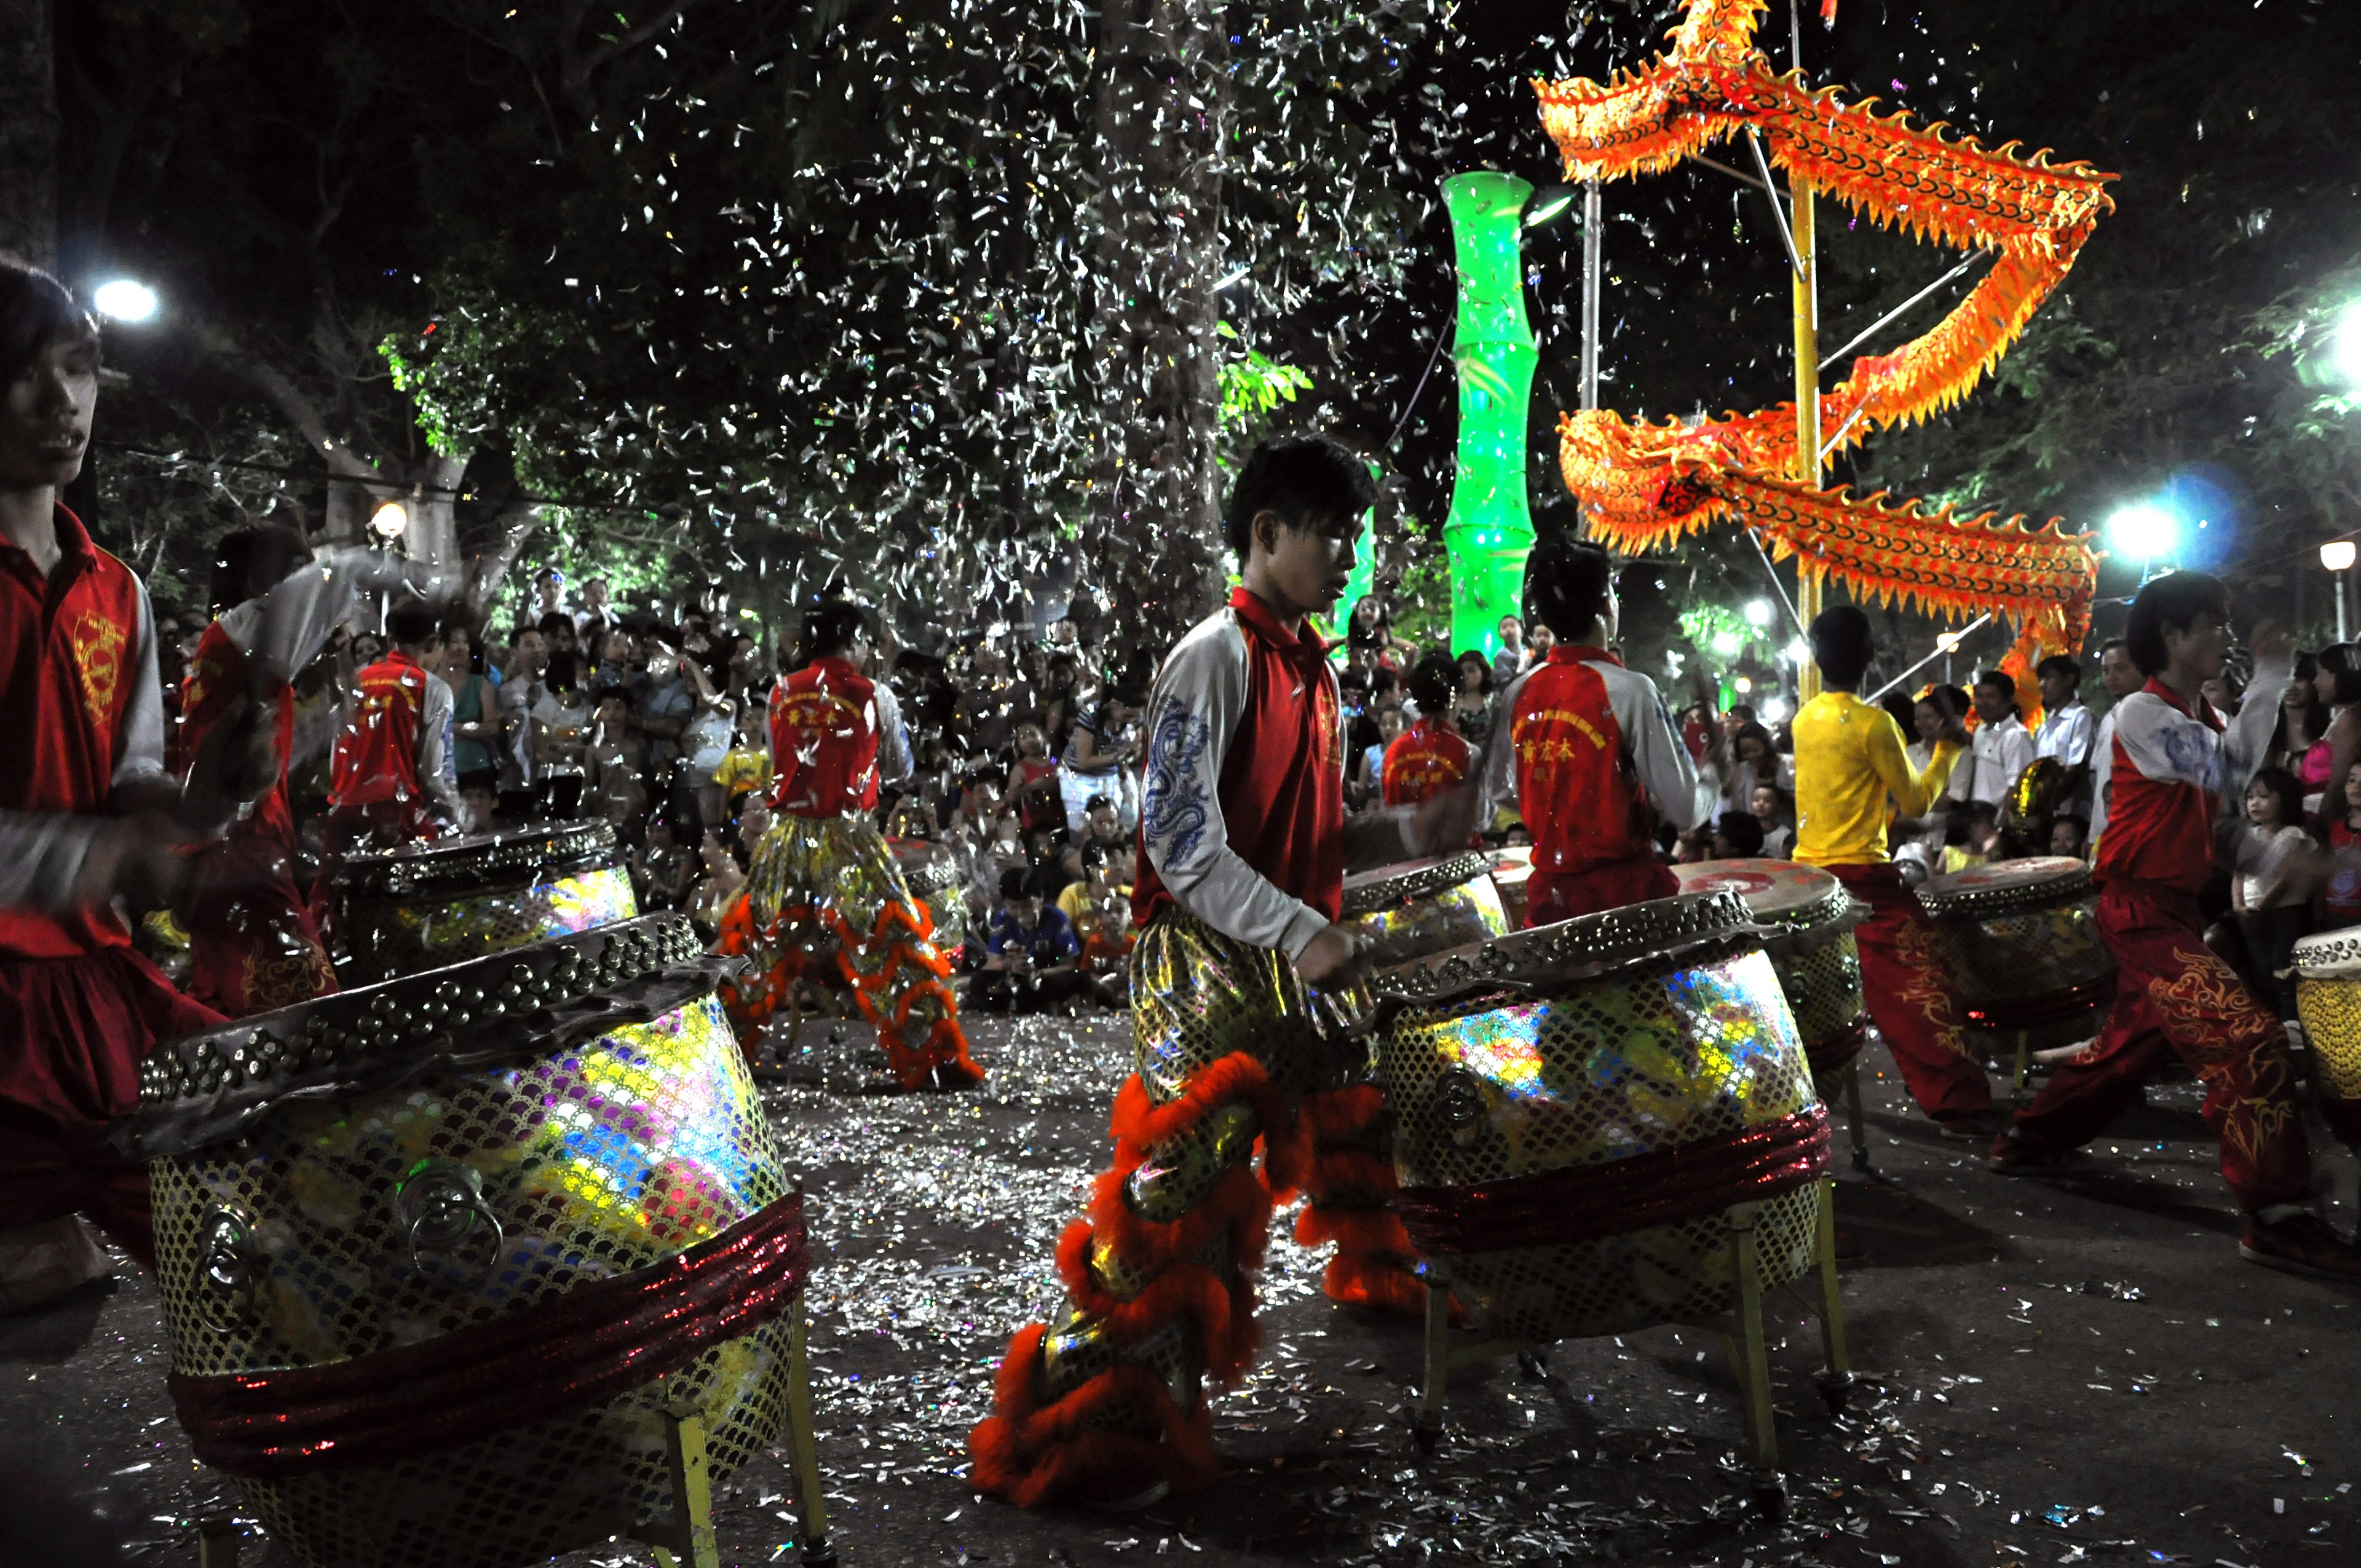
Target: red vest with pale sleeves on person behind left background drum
(386, 780)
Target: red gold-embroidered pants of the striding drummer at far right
(2176, 998)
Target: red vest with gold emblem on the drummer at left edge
(72, 655)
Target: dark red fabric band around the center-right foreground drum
(1597, 1201)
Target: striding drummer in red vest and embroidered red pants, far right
(2173, 769)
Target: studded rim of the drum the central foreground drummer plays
(1574, 950)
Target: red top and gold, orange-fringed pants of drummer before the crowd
(837, 736)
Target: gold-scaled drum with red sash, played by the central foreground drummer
(1581, 1106)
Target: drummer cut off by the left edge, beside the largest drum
(86, 806)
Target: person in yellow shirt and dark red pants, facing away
(1847, 762)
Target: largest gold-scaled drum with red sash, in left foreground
(438, 1255)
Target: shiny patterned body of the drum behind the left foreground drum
(447, 901)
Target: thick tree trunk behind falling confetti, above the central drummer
(1160, 122)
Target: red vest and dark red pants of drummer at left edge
(84, 714)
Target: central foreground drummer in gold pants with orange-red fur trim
(1241, 884)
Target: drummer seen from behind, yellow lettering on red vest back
(1588, 747)
